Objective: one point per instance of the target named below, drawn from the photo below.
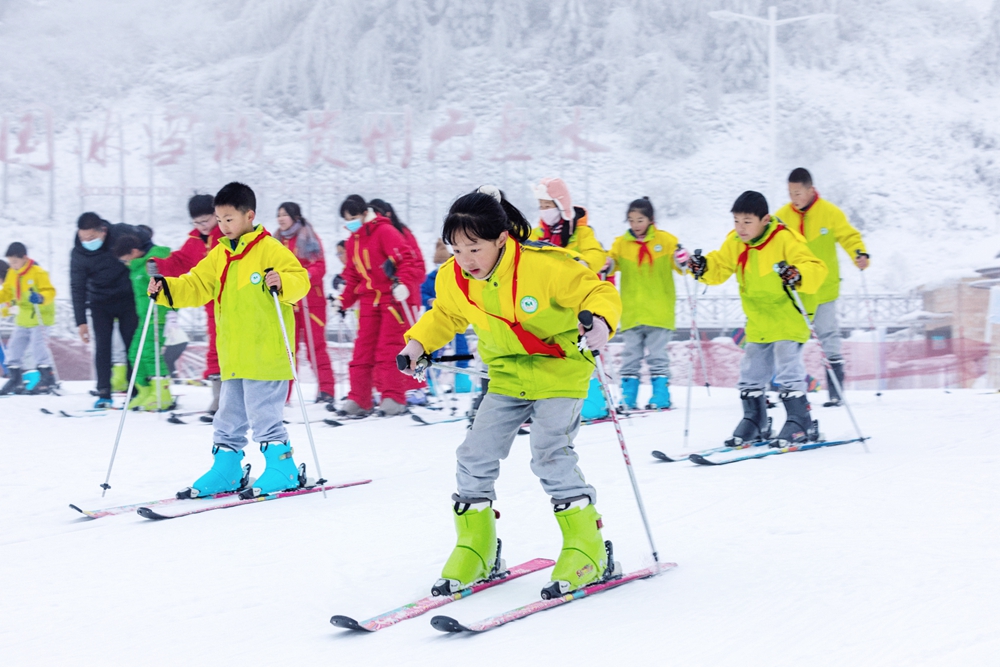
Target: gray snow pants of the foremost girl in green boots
(555, 422)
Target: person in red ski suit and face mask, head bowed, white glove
(374, 250)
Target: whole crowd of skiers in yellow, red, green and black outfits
(520, 287)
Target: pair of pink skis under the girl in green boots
(449, 624)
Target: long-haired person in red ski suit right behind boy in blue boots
(298, 235)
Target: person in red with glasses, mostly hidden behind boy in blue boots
(204, 236)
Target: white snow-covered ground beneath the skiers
(832, 557)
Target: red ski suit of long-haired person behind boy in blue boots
(316, 304)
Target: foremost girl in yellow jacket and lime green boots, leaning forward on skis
(523, 300)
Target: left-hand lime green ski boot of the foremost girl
(476, 557)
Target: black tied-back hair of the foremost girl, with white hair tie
(485, 214)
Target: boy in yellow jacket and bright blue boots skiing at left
(237, 275)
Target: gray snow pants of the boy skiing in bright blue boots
(245, 402)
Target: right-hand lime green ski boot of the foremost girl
(585, 558)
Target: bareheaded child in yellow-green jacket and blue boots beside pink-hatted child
(647, 258)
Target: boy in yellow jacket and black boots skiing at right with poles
(775, 330)
